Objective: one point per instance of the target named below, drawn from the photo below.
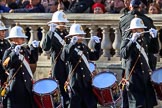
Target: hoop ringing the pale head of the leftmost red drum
(40, 94)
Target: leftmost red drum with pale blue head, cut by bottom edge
(46, 93)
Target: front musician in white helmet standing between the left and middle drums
(76, 55)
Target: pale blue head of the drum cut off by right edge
(157, 76)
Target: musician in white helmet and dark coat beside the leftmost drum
(16, 61)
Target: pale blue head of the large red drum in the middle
(104, 80)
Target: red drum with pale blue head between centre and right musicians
(106, 89)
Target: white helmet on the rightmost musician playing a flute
(136, 23)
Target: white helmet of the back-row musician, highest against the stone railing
(58, 16)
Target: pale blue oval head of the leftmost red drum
(44, 86)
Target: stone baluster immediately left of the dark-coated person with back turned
(116, 43)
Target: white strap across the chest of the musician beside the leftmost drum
(26, 64)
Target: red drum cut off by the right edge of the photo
(156, 78)
